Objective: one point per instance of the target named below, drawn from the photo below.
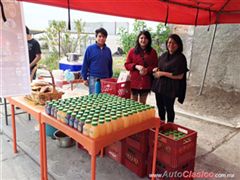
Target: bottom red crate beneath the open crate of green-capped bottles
(164, 172)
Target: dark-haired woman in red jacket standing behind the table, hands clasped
(140, 62)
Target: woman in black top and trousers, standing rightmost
(170, 78)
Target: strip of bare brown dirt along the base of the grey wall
(214, 102)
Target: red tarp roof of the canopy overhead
(193, 12)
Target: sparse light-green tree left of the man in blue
(57, 36)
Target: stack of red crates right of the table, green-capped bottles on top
(175, 152)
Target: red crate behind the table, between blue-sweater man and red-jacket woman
(110, 86)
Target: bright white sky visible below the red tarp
(37, 16)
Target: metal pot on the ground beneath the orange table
(63, 140)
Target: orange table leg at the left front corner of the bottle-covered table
(44, 151)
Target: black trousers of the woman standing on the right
(165, 104)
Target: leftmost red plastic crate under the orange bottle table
(115, 151)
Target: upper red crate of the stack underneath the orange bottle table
(139, 141)
